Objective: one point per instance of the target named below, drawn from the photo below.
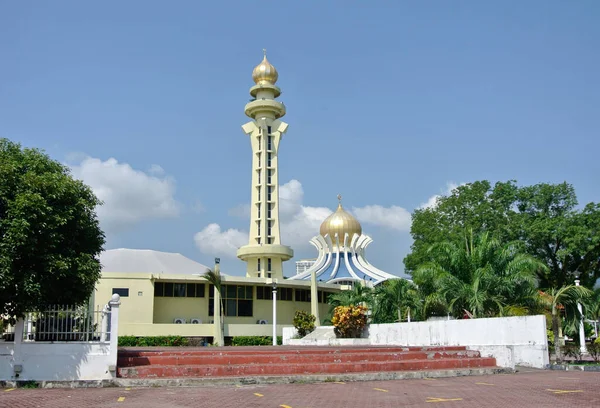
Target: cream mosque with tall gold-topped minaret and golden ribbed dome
(165, 293)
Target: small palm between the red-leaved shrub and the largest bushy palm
(393, 297)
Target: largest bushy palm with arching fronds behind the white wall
(481, 278)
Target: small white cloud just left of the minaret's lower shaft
(212, 241)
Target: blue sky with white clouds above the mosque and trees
(389, 103)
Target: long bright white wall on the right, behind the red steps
(511, 340)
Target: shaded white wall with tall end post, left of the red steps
(60, 361)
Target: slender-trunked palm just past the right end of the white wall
(567, 298)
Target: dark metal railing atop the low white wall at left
(67, 323)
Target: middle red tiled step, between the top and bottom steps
(277, 358)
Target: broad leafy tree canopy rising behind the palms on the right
(543, 217)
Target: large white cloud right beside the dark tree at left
(130, 196)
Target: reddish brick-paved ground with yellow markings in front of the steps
(526, 388)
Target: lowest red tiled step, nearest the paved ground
(308, 368)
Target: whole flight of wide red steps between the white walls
(211, 362)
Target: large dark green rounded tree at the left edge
(50, 238)
